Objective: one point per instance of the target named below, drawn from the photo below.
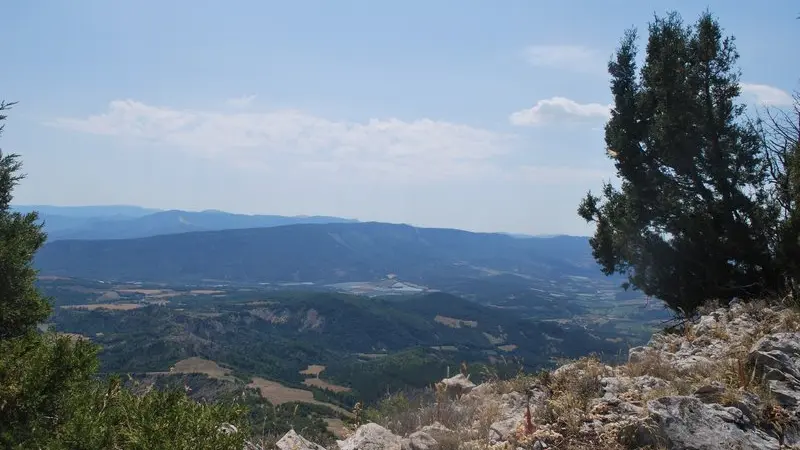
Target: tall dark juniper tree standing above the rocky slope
(688, 221)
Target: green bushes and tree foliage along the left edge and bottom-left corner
(49, 397)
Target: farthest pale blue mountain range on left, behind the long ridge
(122, 222)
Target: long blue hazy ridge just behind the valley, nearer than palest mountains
(319, 253)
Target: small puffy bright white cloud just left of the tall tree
(560, 110)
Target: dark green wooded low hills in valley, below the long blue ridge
(366, 344)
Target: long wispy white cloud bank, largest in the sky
(287, 140)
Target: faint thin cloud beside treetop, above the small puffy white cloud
(575, 58)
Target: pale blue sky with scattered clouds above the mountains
(479, 115)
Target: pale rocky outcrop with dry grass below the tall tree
(729, 381)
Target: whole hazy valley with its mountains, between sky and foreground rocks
(378, 306)
